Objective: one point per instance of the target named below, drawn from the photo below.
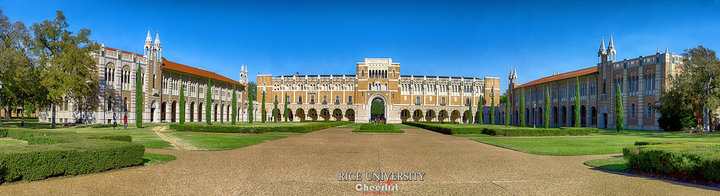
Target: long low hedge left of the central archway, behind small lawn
(262, 129)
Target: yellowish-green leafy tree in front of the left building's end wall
(67, 69)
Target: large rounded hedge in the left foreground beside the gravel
(56, 153)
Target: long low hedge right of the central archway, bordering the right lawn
(504, 131)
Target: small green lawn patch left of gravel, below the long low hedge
(221, 141)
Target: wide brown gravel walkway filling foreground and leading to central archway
(308, 164)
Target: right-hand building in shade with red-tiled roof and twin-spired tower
(642, 81)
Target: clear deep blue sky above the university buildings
(453, 38)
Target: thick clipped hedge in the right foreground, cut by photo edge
(691, 160)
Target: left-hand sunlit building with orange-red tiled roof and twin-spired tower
(161, 82)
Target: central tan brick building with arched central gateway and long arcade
(349, 97)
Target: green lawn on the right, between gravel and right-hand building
(574, 146)
